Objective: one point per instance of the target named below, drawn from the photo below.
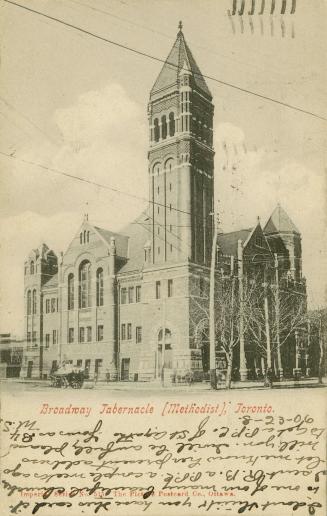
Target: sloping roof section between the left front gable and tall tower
(139, 232)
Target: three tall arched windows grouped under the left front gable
(85, 286)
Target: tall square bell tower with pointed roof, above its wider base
(181, 160)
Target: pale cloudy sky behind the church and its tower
(75, 104)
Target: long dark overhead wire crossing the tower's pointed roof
(158, 59)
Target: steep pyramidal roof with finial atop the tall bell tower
(180, 57)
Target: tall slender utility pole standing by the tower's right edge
(212, 322)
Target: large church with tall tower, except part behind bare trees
(118, 305)
